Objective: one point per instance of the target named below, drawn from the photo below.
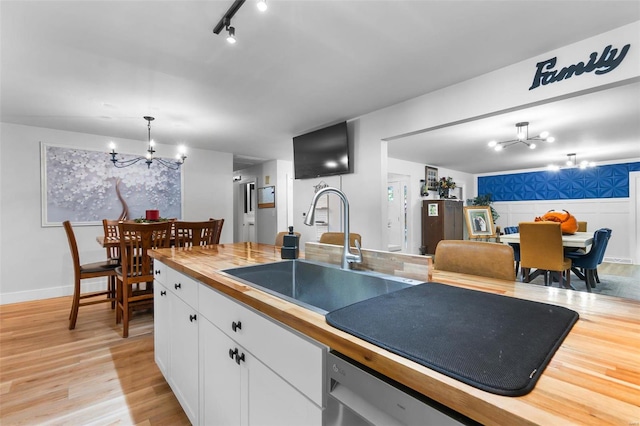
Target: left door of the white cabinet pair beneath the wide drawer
(221, 391)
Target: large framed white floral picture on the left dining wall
(82, 186)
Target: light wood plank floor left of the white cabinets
(51, 375)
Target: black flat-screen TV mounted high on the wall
(323, 152)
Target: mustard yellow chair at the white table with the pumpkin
(541, 249)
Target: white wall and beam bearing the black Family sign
(502, 90)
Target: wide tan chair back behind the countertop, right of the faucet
(485, 259)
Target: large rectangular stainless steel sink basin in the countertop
(318, 286)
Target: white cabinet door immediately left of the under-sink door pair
(183, 355)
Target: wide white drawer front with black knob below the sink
(297, 359)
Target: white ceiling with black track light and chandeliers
(99, 66)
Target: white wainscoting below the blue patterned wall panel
(613, 213)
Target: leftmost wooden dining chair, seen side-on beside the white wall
(105, 268)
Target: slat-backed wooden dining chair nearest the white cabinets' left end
(135, 275)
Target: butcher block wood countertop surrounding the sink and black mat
(593, 378)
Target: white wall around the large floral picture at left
(36, 262)
